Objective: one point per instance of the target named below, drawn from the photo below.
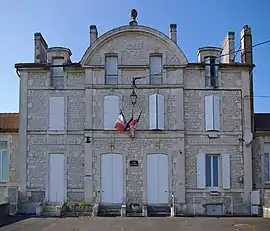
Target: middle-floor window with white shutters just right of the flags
(156, 112)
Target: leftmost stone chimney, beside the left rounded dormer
(40, 49)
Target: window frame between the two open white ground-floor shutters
(212, 187)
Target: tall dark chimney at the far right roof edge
(246, 45)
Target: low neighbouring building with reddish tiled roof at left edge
(9, 158)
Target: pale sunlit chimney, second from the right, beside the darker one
(228, 51)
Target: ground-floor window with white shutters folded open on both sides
(213, 171)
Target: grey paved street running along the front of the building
(140, 224)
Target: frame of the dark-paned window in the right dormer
(211, 80)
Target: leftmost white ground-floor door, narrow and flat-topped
(56, 178)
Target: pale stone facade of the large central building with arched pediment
(192, 140)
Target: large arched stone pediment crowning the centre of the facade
(133, 45)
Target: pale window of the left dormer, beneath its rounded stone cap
(57, 73)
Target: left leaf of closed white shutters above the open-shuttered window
(209, 107)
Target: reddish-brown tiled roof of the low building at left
(9, 122)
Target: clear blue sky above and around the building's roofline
(66, 23)
